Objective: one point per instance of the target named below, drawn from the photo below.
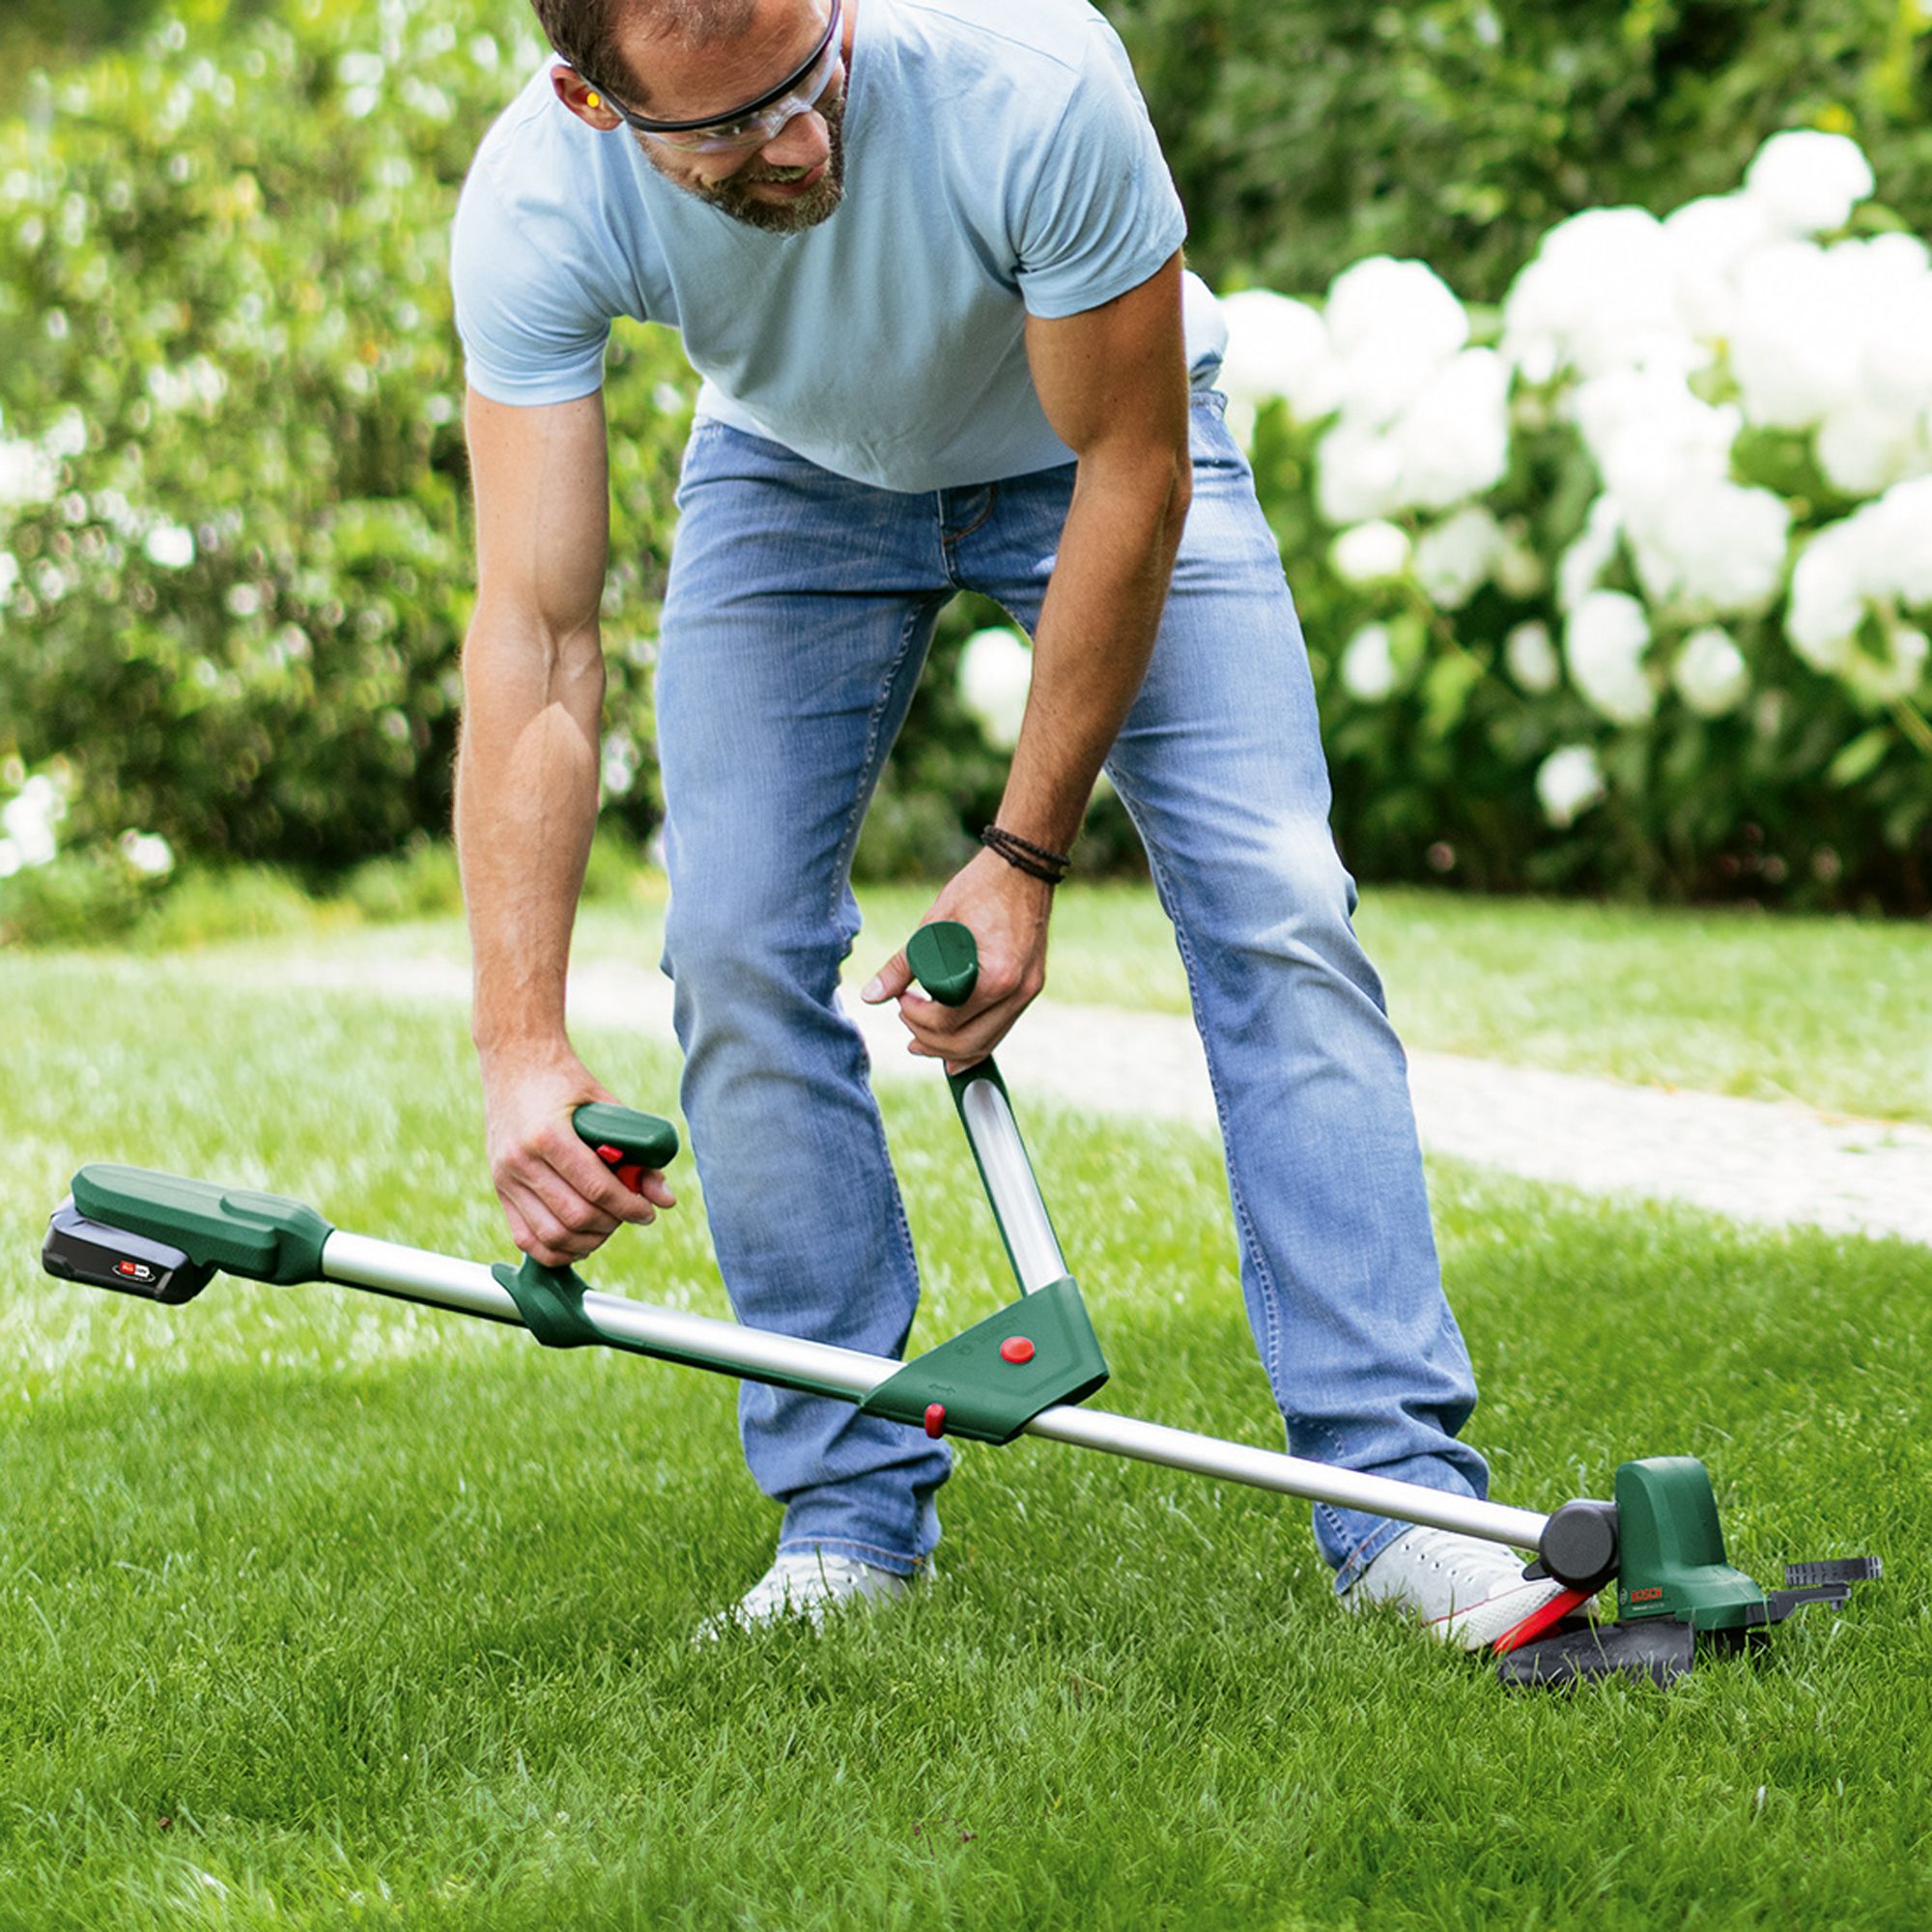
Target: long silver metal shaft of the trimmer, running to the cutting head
(469, 1288)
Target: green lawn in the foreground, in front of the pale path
(324, 1610)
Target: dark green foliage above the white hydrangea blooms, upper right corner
(1307, 134)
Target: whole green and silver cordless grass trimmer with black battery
(1025, 1371)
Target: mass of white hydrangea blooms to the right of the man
(1664, 343)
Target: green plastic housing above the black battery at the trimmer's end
(262, 1237)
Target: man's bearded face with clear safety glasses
(780, 181)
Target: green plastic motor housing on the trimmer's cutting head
(1670, 1550)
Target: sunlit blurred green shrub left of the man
(227, 353)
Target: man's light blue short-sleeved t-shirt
(1000, 163)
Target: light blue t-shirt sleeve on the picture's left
(530, 327)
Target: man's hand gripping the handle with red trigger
(557, 1195)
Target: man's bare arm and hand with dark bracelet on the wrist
(1116, 389)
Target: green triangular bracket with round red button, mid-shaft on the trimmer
(988, 1398)
